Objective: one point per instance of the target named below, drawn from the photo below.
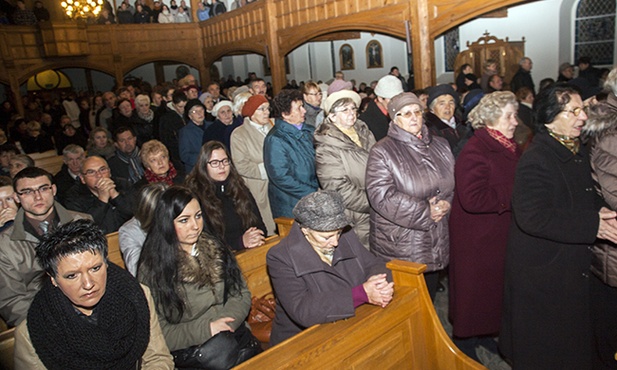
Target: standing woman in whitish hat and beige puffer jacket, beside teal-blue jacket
(342, 143)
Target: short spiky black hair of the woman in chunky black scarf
(75, 237)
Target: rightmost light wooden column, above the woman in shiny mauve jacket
(422, 45)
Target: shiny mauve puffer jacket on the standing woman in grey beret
(402, 174)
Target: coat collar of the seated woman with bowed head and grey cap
(305, 260)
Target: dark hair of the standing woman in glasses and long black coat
(550, 102)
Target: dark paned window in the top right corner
(595, 31)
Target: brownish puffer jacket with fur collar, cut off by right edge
(603, 132)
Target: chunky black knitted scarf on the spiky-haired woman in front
(118, 340)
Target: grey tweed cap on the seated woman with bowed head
(321, 211)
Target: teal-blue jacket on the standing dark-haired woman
(289, 158)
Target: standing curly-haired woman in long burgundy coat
(480, 220)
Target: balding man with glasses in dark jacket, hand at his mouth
(109, 201)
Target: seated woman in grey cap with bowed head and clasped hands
(320, 272)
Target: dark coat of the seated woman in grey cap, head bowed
(308, 291)
